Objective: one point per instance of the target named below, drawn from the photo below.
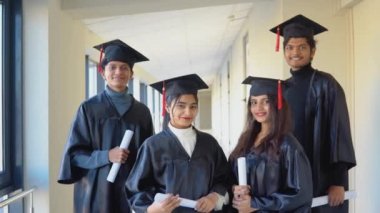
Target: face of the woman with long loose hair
(260, 108)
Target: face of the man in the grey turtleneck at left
(117, 75)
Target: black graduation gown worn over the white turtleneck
(163, 166)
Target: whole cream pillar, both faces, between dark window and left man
(54, 86)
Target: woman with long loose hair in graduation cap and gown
(278, 171)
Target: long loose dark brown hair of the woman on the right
(281, 124)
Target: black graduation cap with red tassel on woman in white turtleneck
(187, 84)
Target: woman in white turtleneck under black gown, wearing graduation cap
(179, 161)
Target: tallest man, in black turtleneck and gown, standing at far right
(319, 113)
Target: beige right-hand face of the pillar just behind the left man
(66, 92)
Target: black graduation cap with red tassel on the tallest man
(298, 26)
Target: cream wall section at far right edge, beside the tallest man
(367, 104)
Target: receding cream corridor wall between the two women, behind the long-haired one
(229, 110)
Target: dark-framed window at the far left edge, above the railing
(11, 95)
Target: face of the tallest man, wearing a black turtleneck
(298, 53)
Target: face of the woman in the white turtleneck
(183, 112)
